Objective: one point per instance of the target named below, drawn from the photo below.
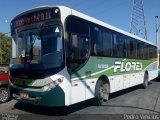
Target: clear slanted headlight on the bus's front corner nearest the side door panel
(52, 84)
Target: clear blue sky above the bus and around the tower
(113, 12)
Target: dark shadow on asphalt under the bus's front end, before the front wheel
(52, 111)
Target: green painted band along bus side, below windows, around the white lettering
(106, 65)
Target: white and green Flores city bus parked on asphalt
(61, 57)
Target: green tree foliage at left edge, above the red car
(5, 48)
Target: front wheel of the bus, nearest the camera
(101, 93)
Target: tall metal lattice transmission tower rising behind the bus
(138, 23)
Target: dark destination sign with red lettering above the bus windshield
(34, 17)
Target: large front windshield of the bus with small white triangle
(40, 48)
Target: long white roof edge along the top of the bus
(91, 19)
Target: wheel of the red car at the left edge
(4, 95)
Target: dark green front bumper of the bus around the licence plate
(53, 97)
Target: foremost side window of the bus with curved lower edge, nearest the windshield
(78, 51)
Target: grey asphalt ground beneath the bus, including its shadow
(126, 104)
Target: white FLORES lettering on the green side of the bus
(127, 66)
